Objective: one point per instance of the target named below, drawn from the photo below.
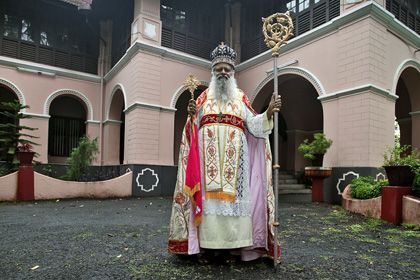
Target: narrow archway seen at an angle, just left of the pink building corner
(115, 130)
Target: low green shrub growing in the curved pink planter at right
(366, 187)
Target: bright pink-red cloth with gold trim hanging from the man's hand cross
(192, 176)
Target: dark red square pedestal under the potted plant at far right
(391, 204)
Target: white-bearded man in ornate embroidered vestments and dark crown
(235, 170)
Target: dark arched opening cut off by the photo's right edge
(407, 107)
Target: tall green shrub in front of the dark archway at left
(81, 158)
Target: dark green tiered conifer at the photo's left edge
(11, 136)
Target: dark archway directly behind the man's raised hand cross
(181, 117)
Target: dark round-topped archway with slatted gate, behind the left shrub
(66, 125)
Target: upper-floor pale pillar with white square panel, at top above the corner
(146, 26)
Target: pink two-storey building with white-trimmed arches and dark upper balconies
(115, 70)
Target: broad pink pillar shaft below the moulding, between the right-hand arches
(361, 125)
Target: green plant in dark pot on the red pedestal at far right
(401, 164)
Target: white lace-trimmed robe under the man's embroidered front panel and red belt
(228, 224)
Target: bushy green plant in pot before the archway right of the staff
(315, 150)
